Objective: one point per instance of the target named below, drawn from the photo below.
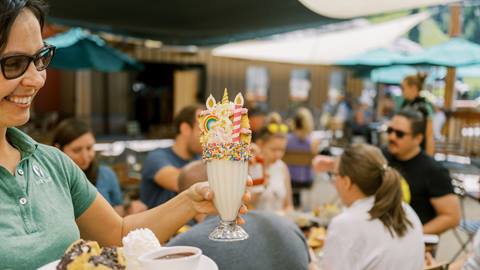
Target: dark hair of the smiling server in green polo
(9, 11)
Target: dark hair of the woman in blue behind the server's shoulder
(69, 130)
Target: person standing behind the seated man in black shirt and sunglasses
(411, 87)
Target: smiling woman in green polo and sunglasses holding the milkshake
(46, 202)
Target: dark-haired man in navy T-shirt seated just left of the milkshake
(162, 166)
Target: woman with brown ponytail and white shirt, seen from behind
(376, 230)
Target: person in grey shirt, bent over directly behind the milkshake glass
(274, 243)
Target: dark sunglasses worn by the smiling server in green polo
(15, 66)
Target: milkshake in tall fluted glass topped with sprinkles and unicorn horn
(226, 140)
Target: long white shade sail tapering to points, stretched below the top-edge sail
(322, 49)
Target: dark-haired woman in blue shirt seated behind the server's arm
(75, 138)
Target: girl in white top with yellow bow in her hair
(272, 142)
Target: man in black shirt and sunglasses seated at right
(431, 190)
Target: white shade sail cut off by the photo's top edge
(345, 9)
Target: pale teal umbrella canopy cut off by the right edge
(455, 52)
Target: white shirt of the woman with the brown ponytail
(355, 242)
